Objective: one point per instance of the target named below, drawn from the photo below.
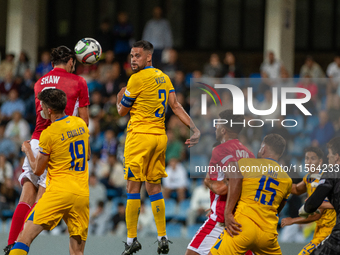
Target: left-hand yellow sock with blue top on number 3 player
(132, 213)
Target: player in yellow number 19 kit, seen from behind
(64, 149)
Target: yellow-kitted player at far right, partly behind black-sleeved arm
(326, 219)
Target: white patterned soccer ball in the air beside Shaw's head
(88, 51)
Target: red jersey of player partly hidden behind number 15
(222, 155)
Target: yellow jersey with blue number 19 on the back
(66, 141)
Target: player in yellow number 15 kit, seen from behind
(261, 188)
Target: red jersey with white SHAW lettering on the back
(73, 85)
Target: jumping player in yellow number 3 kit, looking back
(146, 96)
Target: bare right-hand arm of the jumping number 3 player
(185, 118)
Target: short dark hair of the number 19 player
(55, 99)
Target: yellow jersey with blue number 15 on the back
(264, 186)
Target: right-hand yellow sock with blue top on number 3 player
(158, 209)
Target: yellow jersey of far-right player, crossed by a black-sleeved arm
(328, 217)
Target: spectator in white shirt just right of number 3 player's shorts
(176, 181)
